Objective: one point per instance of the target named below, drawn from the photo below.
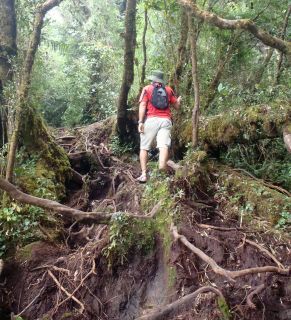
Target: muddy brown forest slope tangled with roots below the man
(71, 278)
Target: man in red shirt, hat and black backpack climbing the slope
(155, 120)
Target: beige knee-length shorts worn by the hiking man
(159, 128)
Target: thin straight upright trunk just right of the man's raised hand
(193, 45)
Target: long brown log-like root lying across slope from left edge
(95, 217)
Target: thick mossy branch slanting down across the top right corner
(244, 24)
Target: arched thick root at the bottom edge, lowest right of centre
(176, 306)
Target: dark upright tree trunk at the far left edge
(7, 51)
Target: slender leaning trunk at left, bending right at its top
(25, 82)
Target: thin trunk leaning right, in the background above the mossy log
(223, 60)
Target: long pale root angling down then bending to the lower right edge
(230, 275)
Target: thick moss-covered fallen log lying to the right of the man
(240, 126)
